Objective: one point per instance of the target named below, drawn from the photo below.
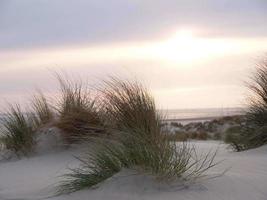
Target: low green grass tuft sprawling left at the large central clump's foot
(100, 163)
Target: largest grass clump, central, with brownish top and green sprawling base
(138, 142)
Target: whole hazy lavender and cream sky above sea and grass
(189, 53)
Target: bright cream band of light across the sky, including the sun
(181, 49)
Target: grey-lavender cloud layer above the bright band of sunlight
(31, 23)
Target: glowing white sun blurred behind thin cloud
(184, 46)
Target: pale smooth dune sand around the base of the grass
(33, 178)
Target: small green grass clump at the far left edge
(18, 131)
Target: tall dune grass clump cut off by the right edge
(254, 132)
